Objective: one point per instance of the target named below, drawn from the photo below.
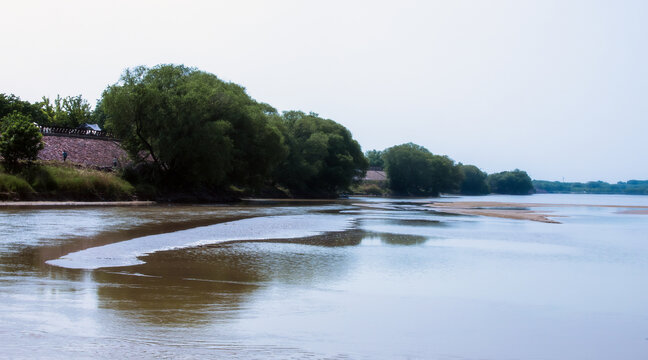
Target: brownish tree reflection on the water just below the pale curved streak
(204, 284)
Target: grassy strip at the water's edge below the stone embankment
(55, 181)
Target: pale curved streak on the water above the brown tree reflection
(127, 253)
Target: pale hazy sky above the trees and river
(556, 88)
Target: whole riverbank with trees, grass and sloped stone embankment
(171, 132)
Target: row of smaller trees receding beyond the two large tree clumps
(412, 170)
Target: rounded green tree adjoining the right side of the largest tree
(323, 157)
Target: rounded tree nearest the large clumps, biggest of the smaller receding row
(414, 170)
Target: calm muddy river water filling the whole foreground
(361, 279)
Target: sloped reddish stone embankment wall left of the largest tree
(92, 152)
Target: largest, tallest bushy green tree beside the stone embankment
(196, 128)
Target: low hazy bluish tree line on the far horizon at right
(631, 187)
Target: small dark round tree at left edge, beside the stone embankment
(20, 139)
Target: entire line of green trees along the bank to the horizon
(187, 129)
